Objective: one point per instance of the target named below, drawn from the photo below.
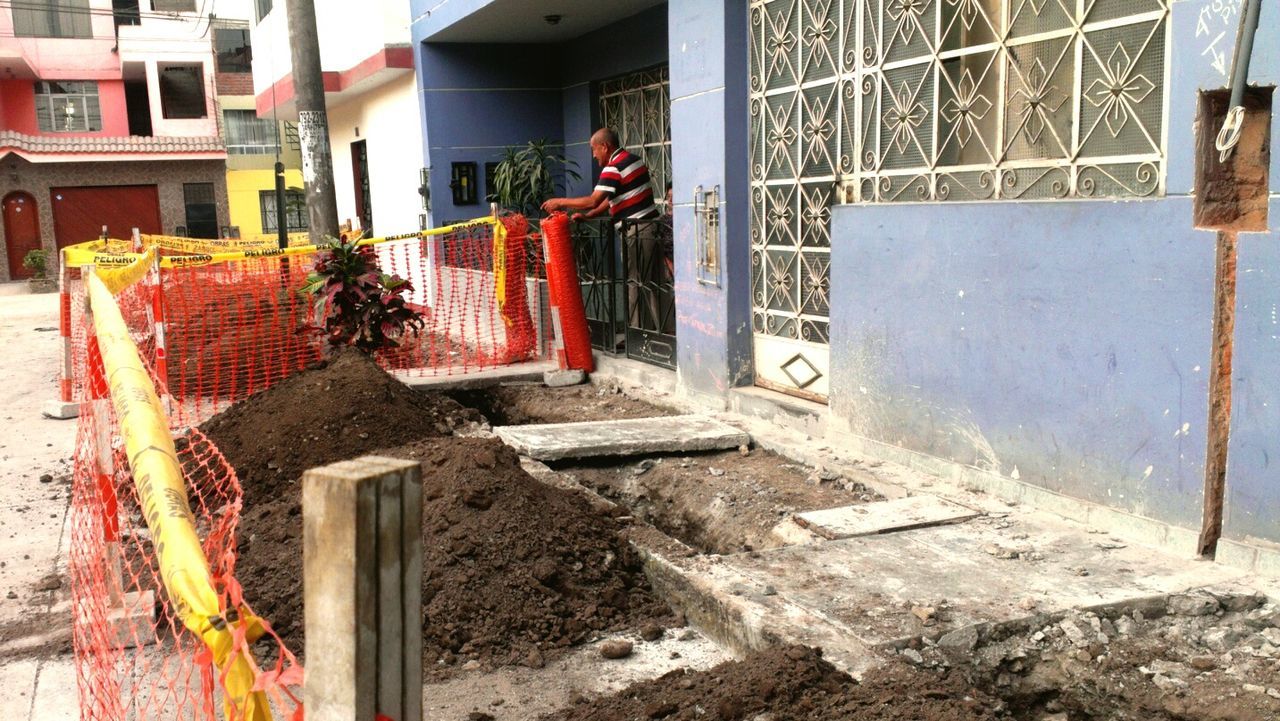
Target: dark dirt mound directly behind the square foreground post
(514, 571)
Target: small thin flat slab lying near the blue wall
(885, 517)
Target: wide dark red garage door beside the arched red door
(81, 213)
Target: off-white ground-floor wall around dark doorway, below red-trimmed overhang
(388, 121)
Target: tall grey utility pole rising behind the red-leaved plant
(313, 120)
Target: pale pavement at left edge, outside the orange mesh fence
(38, 677)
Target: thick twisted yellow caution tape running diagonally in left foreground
(163, 496)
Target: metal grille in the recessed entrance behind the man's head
(638, 107)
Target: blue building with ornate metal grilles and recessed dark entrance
(958, 235)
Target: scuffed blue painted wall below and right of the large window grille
(1068, 344)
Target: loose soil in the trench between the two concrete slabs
(720, 503)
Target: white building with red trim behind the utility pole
(372, 104)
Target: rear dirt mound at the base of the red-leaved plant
(332, 412)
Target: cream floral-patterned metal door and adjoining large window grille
(932, 101)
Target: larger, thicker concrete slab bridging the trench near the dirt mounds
(555, 441)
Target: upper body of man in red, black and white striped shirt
(623, 190)
